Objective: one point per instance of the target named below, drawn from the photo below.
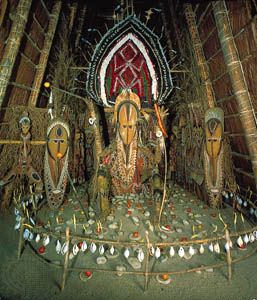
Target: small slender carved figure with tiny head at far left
(23, 170)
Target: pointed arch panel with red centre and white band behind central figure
(129, 56)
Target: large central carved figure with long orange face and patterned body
(126, 166)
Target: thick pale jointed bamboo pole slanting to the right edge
(239, 84)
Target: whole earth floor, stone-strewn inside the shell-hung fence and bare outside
(184, 218)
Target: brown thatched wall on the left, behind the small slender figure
(21, 81)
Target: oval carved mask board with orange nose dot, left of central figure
(56, 162)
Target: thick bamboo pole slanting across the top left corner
(13, 44)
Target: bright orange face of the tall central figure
(127, 122)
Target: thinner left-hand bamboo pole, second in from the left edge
(45, 53)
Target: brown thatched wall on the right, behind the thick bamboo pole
(241, 14)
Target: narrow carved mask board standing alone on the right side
(213, 154)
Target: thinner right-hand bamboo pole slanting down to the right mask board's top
(199, 55)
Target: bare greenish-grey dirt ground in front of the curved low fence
(31, 278)
